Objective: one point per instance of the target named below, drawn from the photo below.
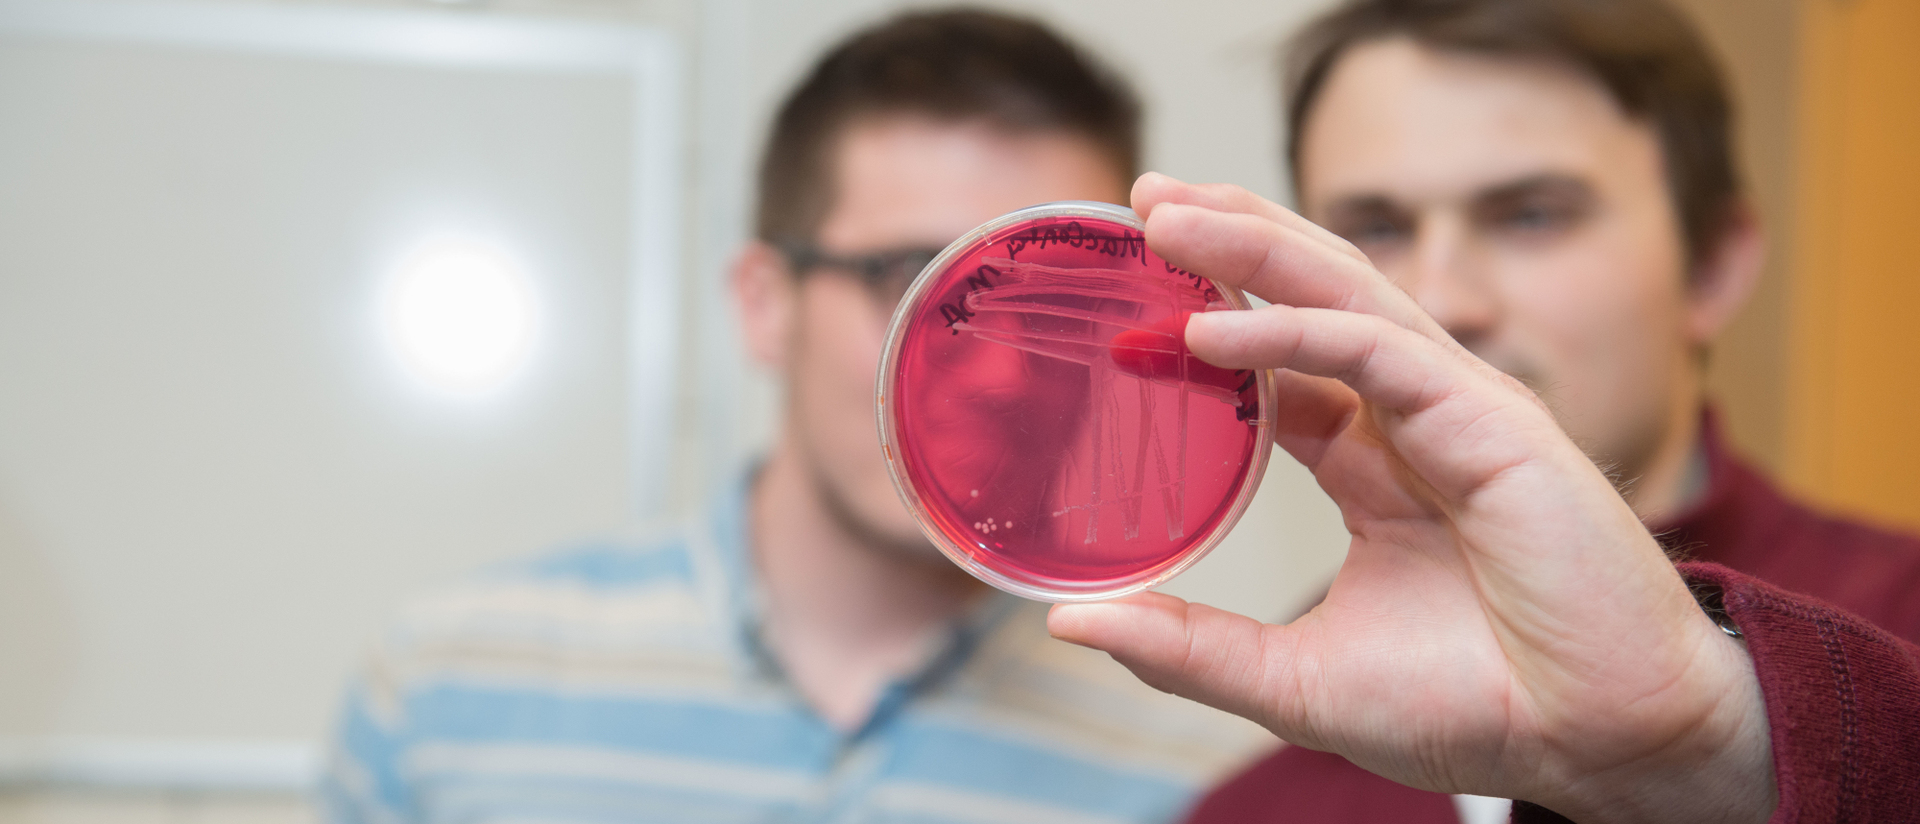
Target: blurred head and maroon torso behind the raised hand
(1554, 182)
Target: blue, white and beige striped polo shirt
(625, 683)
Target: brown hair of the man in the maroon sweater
(1646, 55)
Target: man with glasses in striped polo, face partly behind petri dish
(805, 654)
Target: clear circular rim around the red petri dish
(1036, 587)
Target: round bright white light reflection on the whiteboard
(460, 316)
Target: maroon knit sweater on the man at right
(1836, 662)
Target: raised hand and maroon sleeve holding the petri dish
(1504, 623)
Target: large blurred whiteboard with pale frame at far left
(214, 477)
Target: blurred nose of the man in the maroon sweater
(1449, 279)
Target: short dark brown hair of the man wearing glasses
(953, 66)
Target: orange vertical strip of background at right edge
(1854, 410)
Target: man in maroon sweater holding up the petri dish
(1552, 183)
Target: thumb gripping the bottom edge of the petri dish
(1191, 650)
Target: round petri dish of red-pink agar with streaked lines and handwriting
(1044, 420)
